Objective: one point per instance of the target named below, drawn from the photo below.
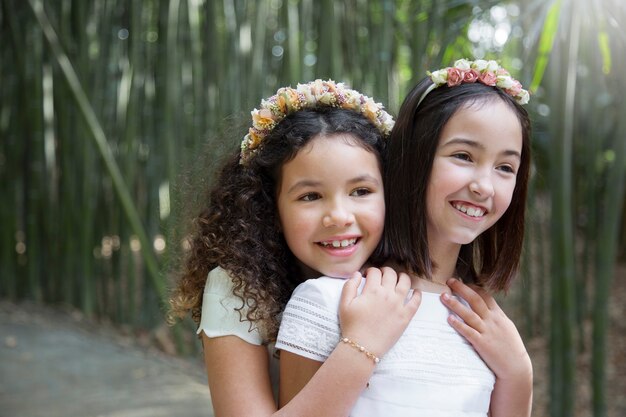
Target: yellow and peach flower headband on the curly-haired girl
(315, 94)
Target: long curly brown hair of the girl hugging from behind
(239, 228)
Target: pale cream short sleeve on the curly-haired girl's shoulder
(220, 316)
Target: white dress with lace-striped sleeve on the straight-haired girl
(431, 371)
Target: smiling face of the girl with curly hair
(331, 205)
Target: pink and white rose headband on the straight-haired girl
(486, 72)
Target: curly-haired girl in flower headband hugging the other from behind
(302, 198)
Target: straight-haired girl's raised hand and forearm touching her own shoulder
(497, 341)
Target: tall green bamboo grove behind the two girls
(105, 105)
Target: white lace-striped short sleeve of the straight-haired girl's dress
(310, 323)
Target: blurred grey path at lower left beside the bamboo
(53, 364)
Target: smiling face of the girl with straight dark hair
(474, 172)
